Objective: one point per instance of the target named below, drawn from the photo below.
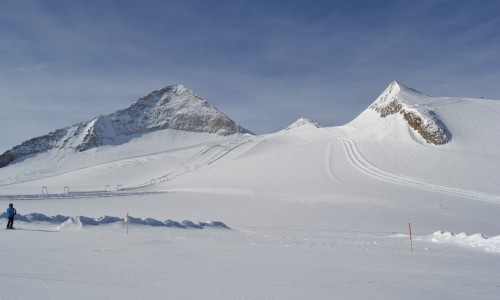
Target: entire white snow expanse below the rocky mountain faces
(308, 213)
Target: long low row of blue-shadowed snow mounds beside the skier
(79, 221)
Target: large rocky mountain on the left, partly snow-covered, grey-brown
(172, 107)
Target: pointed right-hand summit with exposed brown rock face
(398, 98)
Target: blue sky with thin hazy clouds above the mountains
(264, 63)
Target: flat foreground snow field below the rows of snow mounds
(104, 261)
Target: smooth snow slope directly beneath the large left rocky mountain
(152, 155)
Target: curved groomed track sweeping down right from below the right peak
(358, 161)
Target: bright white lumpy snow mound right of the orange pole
(476, 240)
